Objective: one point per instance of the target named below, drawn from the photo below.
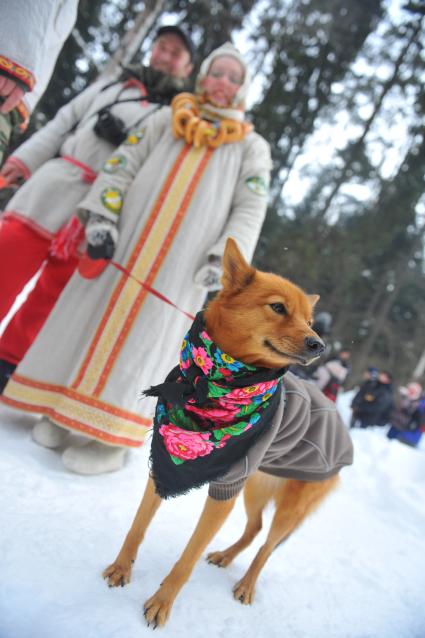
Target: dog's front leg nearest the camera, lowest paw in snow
(158, 607)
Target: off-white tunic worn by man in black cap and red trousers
(51, 195)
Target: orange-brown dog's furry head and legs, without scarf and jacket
(263, 320)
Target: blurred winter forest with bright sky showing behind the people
(339, 93)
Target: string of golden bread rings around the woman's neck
(188, 124)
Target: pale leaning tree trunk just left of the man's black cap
(133, 39)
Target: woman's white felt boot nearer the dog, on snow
(94, 458)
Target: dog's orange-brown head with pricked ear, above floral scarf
(261, 318)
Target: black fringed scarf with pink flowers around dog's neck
(211, 409)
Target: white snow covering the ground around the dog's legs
(355, 569)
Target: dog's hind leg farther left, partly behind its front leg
(259, 489)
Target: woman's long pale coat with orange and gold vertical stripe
(107, 339)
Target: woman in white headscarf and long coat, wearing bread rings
(163, 206)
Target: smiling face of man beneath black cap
(169, 55)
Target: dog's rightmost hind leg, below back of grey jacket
(294, 502)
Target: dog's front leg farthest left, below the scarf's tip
(119, 573)
